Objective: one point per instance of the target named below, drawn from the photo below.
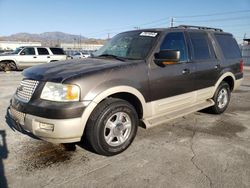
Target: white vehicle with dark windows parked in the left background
(28, 56)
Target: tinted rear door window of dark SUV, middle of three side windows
(200, 45)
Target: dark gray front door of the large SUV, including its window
(175, 79)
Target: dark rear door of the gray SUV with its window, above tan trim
(204, 59)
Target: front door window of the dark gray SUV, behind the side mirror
(175, 41)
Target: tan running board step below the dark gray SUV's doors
(162, 118)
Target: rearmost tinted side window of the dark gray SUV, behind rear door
(228, 45)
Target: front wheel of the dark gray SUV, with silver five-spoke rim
(112, 127)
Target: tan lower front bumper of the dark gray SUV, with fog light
(51, 130)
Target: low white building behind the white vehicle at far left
(12, 45)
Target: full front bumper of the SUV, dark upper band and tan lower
(55, 128)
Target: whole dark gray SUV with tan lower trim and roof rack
(149, 75)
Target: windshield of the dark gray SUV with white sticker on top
(129, 45)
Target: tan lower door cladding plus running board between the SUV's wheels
(167, 109)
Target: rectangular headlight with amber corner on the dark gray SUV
(60, 92)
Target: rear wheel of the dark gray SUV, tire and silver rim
(221, 98)
